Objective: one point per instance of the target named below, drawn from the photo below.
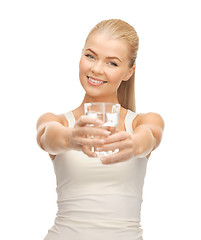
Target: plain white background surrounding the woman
(40, 47)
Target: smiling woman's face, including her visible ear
(103, 65)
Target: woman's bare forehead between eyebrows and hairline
(107, 46)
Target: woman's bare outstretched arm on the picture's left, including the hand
(54, 136)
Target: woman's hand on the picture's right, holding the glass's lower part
(123, 141)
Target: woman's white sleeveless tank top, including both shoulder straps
(97, 201)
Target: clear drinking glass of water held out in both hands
(109, 114)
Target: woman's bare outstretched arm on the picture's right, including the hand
(145, 138)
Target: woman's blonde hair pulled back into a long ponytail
(118, 29)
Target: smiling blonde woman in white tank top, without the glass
(101, 197)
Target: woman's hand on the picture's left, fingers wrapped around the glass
(79, 137)
